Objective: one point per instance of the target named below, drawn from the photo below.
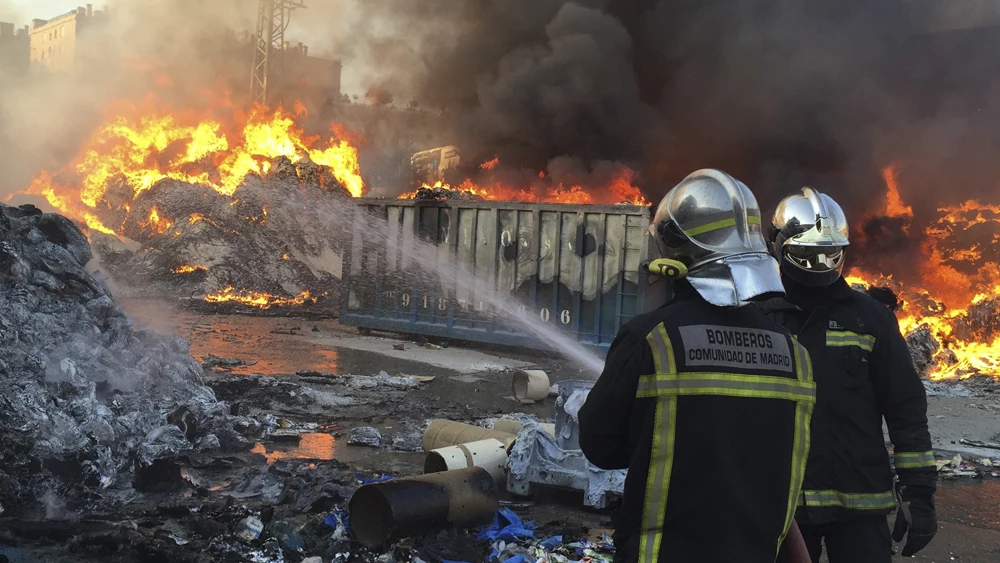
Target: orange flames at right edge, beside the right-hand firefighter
(940, 300)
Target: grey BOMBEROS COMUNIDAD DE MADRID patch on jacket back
(735, 347)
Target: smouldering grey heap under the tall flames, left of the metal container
(277, 241)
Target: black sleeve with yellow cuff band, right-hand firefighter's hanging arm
(903, 403)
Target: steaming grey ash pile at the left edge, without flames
(90, 408)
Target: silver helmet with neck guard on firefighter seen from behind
(711, 223)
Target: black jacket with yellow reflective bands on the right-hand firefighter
(864, 373)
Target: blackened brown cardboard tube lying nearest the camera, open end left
(382, 512)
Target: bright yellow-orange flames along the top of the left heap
(145, 145)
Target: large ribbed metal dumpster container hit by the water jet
(473, 270)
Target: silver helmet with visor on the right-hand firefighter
(808, 235)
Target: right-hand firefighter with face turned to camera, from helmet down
(863, 374)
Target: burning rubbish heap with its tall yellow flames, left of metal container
(238, 213)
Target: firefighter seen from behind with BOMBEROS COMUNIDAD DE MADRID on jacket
(704, 400)
